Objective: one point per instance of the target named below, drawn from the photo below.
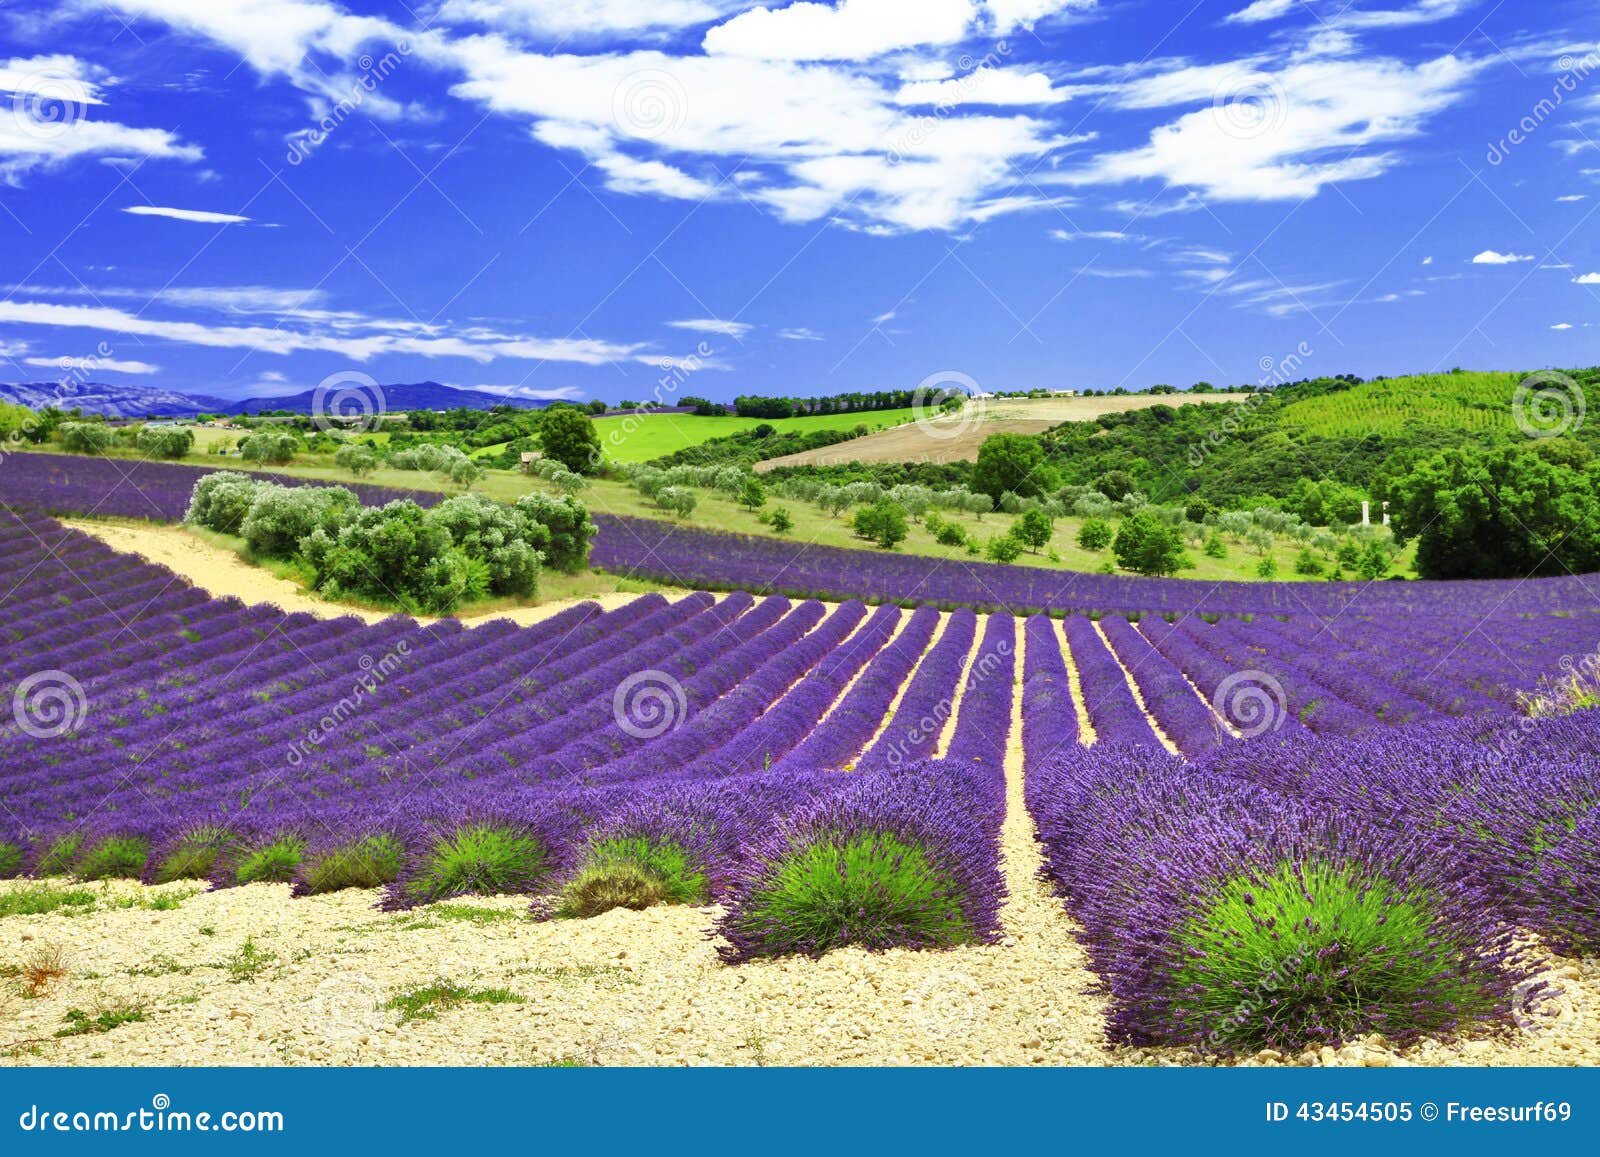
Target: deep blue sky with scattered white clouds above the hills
(588, 199)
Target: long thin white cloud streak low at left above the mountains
(356, 346)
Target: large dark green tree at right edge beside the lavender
(1503, 513)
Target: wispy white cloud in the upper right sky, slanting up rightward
(1279, 135)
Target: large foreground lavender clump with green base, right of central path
(1300, 889)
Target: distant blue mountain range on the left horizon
(151, 401)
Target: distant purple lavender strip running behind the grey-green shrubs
(694, 558)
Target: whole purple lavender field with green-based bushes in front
(1370, 787)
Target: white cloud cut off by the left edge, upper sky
(49, 121)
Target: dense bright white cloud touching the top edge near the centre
(850, 31)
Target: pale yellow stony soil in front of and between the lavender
(175, 975)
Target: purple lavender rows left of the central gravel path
(599, 758)
